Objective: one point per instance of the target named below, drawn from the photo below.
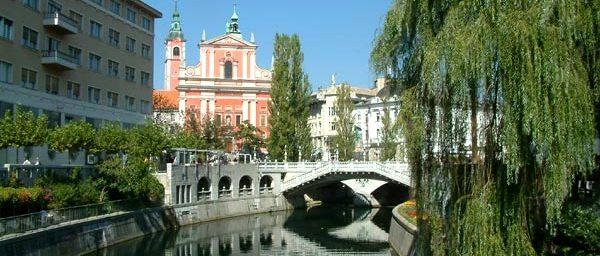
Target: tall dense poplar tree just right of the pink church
(290, 101)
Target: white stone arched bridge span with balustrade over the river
(299, 175)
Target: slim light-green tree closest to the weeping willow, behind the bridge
(389, 134)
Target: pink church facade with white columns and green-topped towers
(225, 84)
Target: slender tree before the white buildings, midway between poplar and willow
(344, 123)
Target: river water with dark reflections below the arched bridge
(320, 230)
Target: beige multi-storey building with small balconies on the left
(86, 60)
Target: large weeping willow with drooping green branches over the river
(497, 110)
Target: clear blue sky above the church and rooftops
(336, 35)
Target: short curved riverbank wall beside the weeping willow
(402, 235)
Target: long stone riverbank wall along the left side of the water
(88, 235)
